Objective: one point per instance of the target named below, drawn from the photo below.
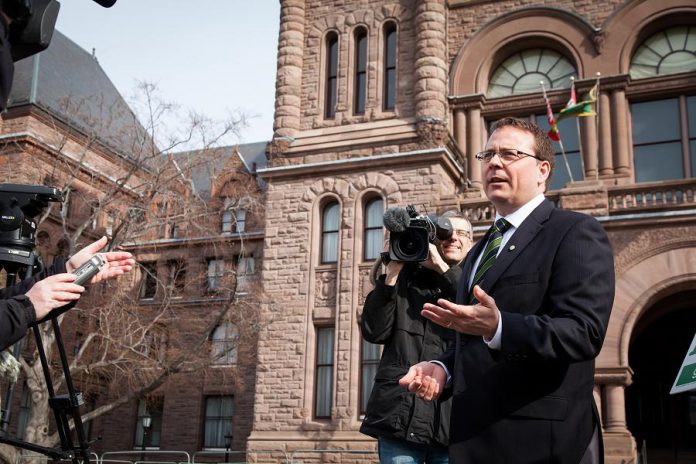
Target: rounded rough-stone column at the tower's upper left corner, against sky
(289, 77)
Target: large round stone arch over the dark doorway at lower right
(646, 282)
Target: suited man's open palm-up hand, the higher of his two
(477, 319)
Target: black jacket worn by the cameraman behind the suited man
(391, 316)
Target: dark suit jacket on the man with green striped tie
(531, 401)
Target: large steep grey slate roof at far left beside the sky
(68, 83)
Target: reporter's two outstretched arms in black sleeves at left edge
(32, 299)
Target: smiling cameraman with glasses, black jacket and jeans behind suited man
(406, 426)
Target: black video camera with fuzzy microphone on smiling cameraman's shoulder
(411, 233)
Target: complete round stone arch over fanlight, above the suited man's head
(548, 27)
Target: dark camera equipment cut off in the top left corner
(26, 28)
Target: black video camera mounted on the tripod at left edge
(19, 205)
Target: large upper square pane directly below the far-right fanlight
(655, 121)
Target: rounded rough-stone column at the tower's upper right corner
(430, 66)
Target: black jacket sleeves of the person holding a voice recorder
(16, 311)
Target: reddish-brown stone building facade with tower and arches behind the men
(390, 101)
